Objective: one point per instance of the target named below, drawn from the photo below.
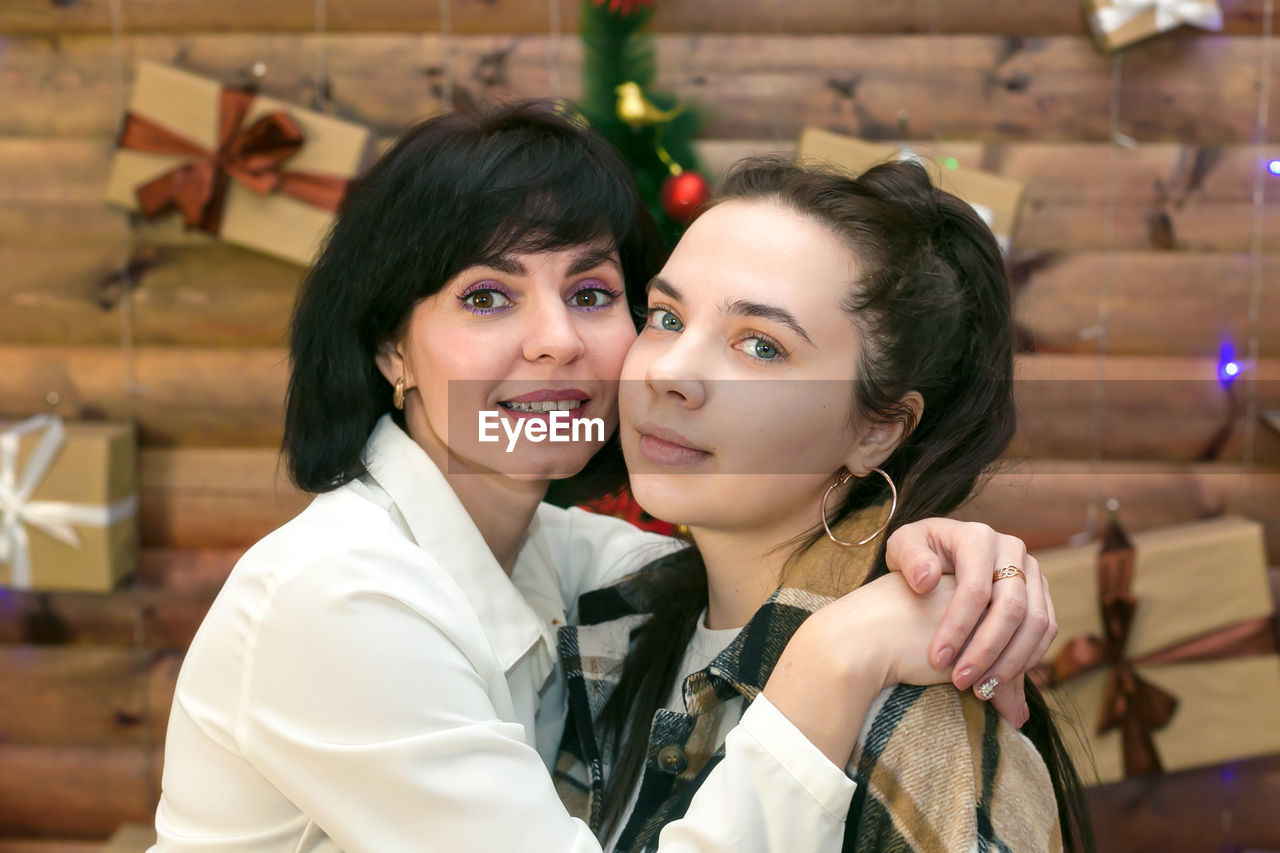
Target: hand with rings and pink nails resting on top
(1000, 630)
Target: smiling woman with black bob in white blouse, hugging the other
(381, 673)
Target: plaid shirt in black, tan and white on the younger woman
(936, 769)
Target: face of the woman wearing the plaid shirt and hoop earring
(737, 396)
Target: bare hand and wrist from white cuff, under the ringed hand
(845, 654)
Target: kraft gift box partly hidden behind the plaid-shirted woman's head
(996, 200)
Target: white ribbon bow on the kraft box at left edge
(56, 518)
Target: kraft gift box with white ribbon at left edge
(68, 505)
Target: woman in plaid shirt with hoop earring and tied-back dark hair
(836, 354)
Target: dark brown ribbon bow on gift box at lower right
(1132, 704)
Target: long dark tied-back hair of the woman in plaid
(934, 309)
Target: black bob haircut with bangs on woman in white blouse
(455, 191)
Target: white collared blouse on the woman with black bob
(371, 681)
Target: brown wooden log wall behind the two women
(196, 352)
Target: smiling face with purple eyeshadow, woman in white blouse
(527, 335)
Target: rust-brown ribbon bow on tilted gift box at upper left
(253, 157)
